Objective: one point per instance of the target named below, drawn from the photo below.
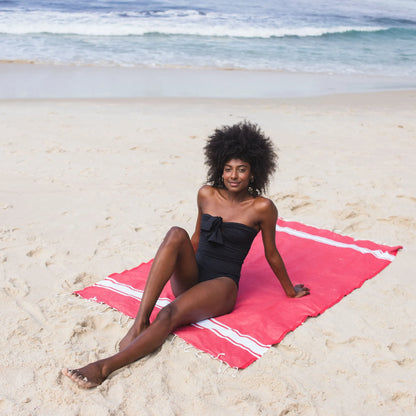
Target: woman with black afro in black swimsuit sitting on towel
(204, 270)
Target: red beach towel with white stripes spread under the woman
(331, 265)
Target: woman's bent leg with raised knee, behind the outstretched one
(174, 260)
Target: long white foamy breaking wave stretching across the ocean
(169, 22)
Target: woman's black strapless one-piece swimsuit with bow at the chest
(222, 248)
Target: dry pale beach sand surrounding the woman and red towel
(89, 187)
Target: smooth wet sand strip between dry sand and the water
(25, 80)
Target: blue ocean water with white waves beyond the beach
(364, 37)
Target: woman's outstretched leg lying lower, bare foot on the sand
(204, 300)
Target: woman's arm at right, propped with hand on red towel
(268, 215)
